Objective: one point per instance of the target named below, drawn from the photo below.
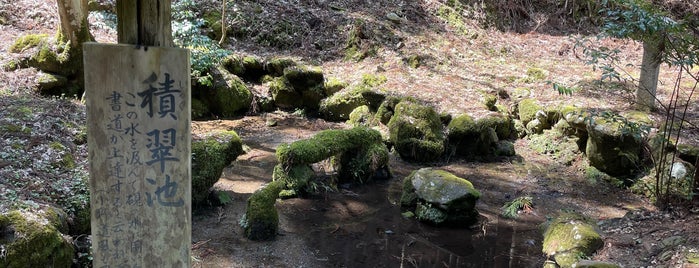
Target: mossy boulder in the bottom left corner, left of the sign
(32, 239)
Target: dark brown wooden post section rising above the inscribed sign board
(144, 22)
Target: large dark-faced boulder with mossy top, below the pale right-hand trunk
(612, 150)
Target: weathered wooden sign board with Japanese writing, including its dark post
(138, 106)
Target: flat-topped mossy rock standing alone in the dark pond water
(439, 197)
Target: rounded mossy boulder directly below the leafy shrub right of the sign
(229, 96)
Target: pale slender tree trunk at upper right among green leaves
(650, 68)
